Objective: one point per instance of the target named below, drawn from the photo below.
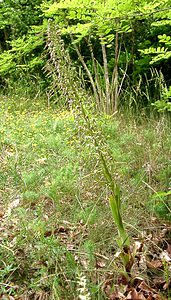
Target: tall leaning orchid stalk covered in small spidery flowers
(67, 83)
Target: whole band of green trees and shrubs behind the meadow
(92, 25)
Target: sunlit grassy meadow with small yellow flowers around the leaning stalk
(61, 228)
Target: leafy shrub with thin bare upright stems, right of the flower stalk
(100, 23)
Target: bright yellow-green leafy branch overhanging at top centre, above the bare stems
(91, 18)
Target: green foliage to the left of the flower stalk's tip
(22, 38)
